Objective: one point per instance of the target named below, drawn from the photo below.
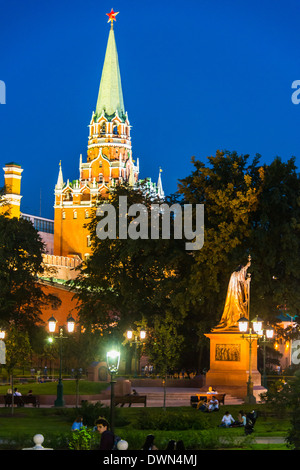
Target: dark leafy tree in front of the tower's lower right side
(126, 279)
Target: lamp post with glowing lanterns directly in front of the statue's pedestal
(251, 334)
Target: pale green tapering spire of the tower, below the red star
(110, 97)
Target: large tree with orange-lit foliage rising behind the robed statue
(249, 208)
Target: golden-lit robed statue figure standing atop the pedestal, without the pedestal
(237, 298)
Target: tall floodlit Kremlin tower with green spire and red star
(109, 162)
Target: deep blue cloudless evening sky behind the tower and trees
(197, 76)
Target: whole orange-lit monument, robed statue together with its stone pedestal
(231, 356)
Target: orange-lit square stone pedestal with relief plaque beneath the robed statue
(229, 360)
